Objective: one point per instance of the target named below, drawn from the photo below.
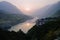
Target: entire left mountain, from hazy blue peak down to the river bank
(10, 15)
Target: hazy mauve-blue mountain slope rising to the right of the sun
(47, 10)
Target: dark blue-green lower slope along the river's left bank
(9, 20)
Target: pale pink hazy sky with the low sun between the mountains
(30, 5)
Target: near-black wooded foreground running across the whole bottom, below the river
(47, 31)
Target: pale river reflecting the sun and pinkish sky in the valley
(24, 26)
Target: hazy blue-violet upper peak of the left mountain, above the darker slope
(9, 8)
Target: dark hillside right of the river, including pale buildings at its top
(46, 28)
